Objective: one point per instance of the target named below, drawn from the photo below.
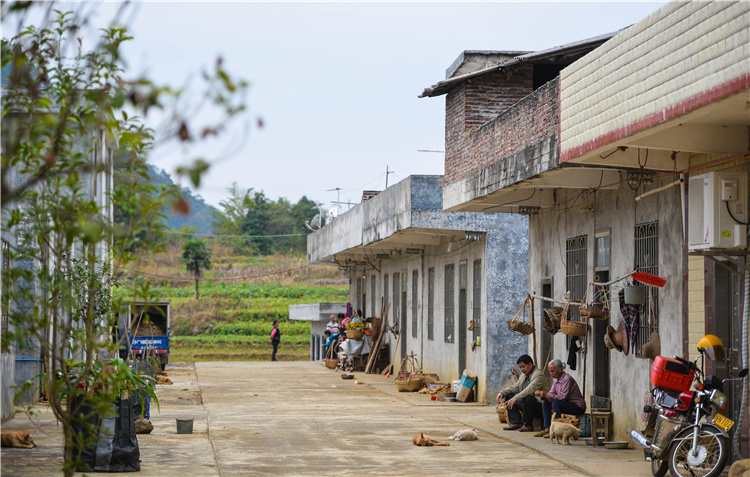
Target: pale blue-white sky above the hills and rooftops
(337, 84)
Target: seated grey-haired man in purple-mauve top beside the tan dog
(563, 397)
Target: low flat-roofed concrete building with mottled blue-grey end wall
(439, 272)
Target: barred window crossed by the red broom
(647, 260)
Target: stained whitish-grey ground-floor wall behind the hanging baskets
(629, 375)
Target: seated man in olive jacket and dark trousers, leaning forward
(523, 405)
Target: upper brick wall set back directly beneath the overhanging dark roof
(474, 104)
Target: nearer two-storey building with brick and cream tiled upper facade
(602, 159)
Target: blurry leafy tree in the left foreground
(65, 110)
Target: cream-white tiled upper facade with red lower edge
(678, 52)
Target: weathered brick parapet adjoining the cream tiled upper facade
(520, 141)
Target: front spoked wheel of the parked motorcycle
(713, 453)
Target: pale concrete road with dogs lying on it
(300, 418)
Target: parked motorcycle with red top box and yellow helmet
(680, 435)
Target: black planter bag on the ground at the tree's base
(116, 447)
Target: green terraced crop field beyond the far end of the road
(232, 322)
